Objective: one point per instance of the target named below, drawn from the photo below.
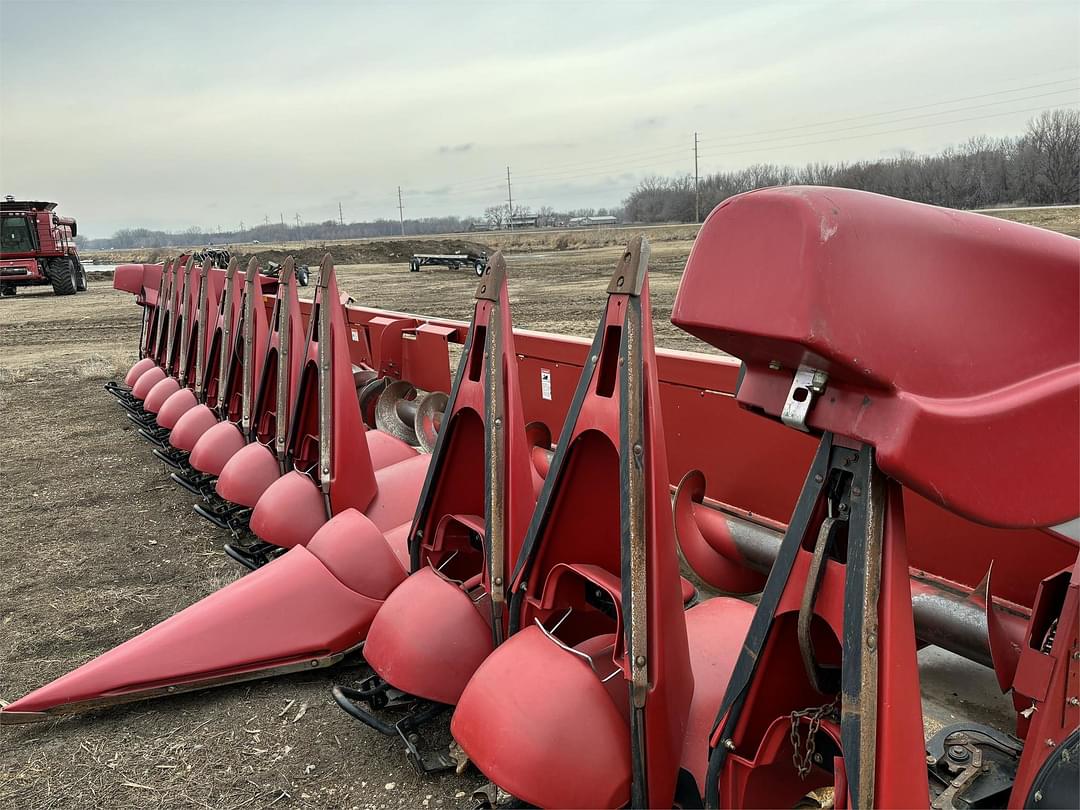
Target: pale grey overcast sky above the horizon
(173, 115)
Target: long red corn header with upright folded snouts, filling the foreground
(888, 456)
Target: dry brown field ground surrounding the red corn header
(99, 546)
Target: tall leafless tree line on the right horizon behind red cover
(1039, 168)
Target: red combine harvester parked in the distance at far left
(37, 247)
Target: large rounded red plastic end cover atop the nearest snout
(950, 339)
